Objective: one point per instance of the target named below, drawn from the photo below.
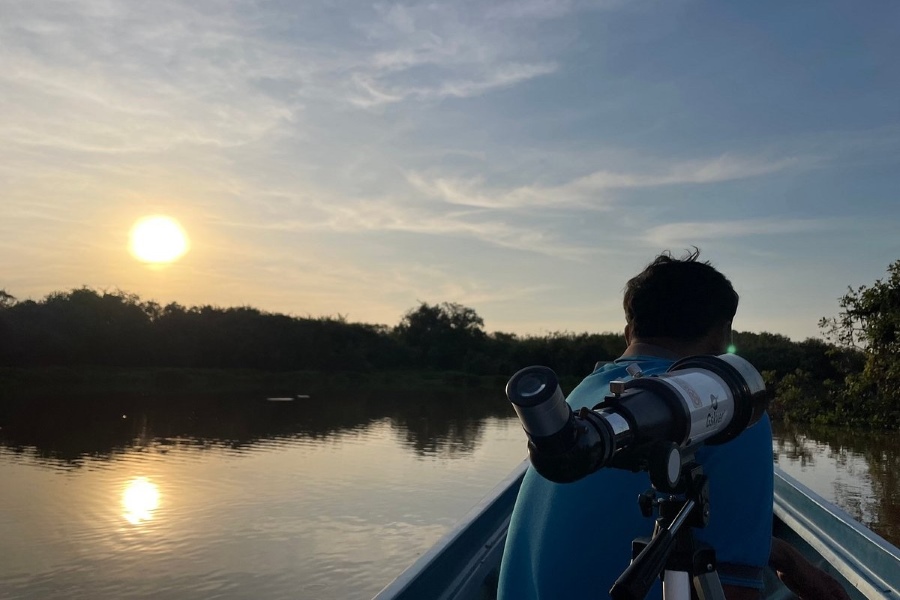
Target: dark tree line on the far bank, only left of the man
(87, 327)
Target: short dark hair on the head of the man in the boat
(678, 298)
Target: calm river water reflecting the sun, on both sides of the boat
(206, 496)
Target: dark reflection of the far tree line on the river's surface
(68, 432)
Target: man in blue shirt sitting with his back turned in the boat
(573, 540)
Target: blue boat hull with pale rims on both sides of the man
(464, 564)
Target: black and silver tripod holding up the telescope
(673, 548)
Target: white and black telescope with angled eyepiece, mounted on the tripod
(650, 423)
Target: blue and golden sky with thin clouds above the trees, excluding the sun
(524, 159)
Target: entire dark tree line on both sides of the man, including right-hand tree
(852, 376)
